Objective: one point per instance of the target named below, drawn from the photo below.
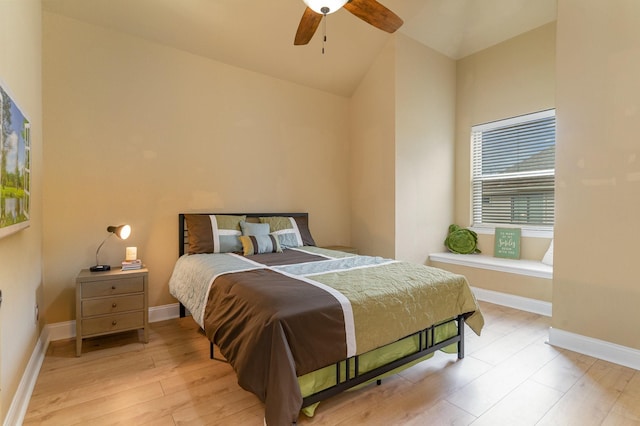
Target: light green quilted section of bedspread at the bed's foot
(409, 296)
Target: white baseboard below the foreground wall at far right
(596, 348)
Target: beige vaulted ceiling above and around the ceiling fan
(258, 34)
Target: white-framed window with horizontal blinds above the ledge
(514, 171)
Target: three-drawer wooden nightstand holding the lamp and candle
(110, 302)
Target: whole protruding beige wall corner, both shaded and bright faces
(402, 124)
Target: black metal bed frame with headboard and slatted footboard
(426, 337)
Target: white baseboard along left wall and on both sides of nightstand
(50, 333)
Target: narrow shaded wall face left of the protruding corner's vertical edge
(372, 167)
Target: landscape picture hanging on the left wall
(15, 166)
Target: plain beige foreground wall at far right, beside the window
(596, 290)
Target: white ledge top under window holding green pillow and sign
(531, 268)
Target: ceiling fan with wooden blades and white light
(369, 11)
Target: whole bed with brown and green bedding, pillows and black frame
(299, 323)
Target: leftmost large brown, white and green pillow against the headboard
(213, 233)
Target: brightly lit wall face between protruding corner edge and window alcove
(425, 117)
